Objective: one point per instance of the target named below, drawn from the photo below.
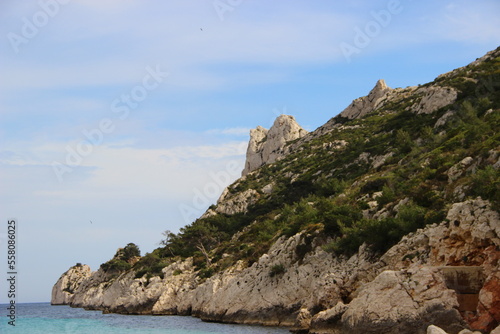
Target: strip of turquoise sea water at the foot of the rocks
(47, 319)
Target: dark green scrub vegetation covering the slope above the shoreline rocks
(338, 193)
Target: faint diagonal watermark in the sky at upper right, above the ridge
(363, 36)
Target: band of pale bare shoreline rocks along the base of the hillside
(321, 293)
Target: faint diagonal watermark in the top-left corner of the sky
(31, 26)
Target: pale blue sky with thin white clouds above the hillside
(121, 119)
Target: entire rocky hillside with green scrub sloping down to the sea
(346, 228)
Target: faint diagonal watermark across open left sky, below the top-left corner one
(120, 106)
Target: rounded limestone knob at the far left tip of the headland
(69, 282)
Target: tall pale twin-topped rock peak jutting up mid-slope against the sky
(267, 146)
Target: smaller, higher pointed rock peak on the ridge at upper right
(366, 104)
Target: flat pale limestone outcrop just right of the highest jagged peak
(434, 98)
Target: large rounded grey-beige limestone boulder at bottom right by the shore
(403, 302)
